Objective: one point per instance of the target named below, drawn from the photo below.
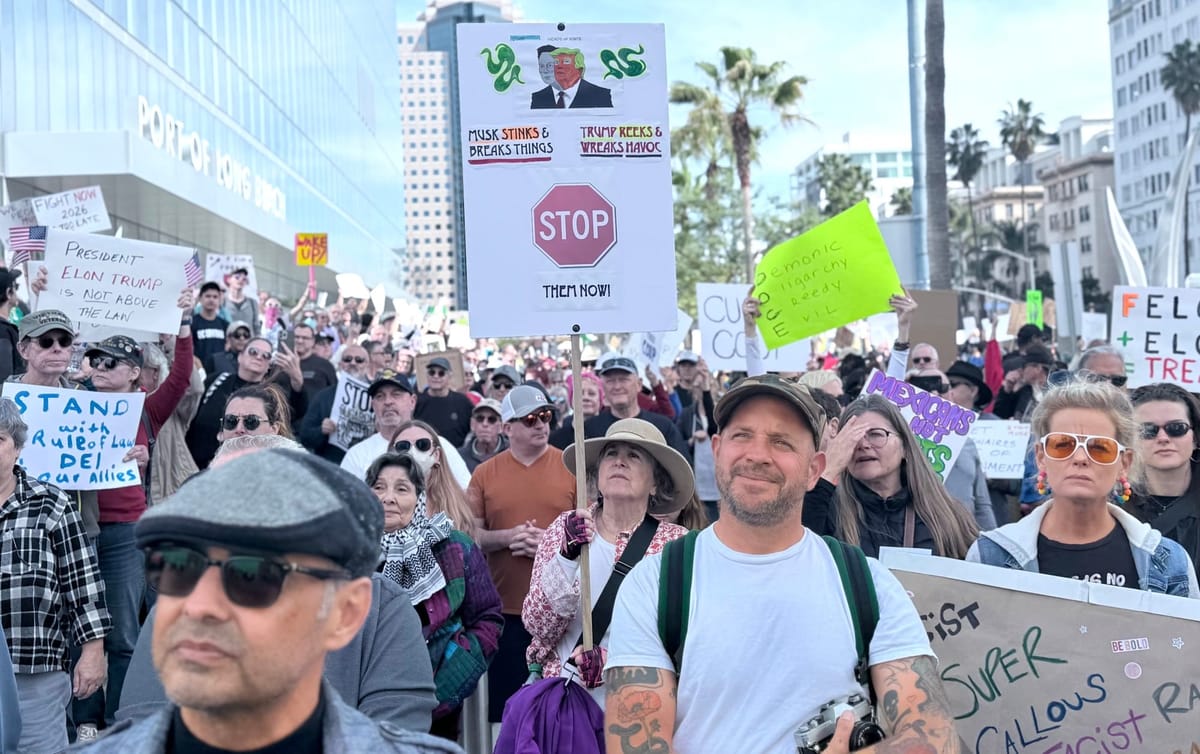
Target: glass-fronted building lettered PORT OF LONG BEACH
(229, 125)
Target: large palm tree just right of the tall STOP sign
(740, 85)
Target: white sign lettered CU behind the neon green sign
(723, 336)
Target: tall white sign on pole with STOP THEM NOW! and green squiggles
(567, 178)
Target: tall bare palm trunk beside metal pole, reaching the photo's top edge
(938, 212)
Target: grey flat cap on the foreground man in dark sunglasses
(237, 506)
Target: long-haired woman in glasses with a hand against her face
(890, 496)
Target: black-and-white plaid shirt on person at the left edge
(51, 591)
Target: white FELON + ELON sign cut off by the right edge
(1159, 333)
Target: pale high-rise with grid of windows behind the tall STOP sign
(434, 204)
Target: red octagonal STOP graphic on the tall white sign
(574, 225)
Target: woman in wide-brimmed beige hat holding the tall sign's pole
(639, 476)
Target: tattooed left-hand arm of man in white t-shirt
(640, 711)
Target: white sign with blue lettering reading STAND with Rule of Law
(77, 439)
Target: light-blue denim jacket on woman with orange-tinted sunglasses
(1163, 566)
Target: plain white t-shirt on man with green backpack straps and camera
(770, 641)
